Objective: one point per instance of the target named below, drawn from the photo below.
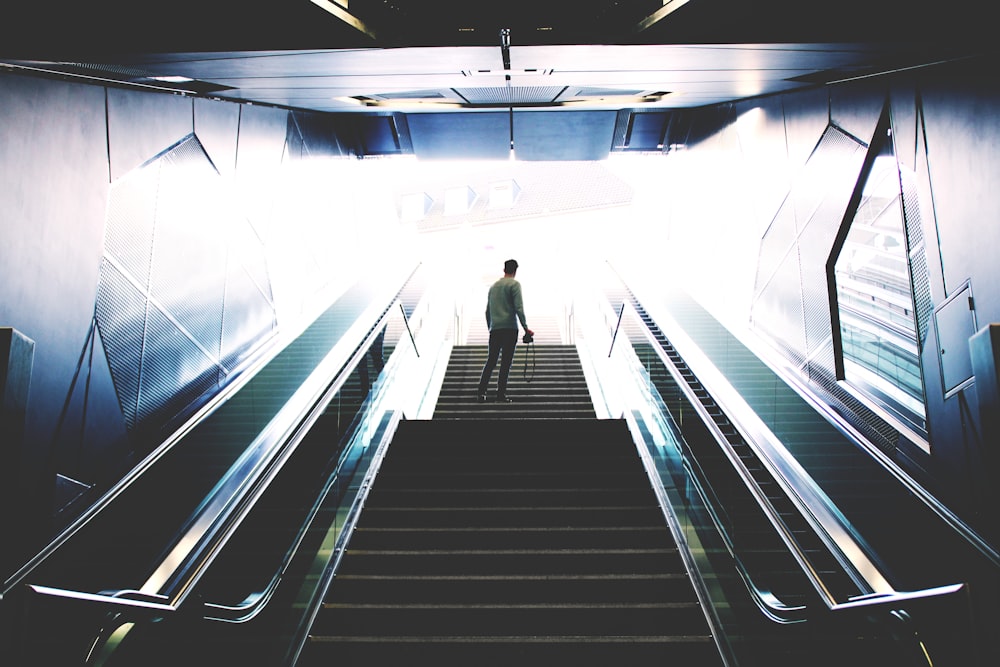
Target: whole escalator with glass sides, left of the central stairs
(244, 464)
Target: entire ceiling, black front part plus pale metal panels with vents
(451, 55)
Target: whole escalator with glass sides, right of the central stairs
(903, 537)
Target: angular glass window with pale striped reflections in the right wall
(875, 299)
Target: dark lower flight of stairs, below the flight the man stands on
(500, 541)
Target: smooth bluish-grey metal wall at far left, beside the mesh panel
(56, 175)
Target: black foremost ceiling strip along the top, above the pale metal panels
(75, 29)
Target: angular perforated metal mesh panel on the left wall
(184, 292)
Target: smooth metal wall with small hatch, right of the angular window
(949, 124)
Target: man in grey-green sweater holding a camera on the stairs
(504, 309)
